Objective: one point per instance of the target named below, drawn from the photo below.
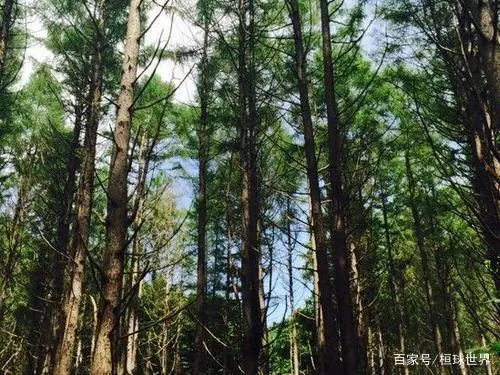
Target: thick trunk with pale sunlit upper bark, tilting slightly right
(105, 351)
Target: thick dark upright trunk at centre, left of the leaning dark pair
(250, 247)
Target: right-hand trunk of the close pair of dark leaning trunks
(340, 248)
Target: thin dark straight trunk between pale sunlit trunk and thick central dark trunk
(201, 284)
